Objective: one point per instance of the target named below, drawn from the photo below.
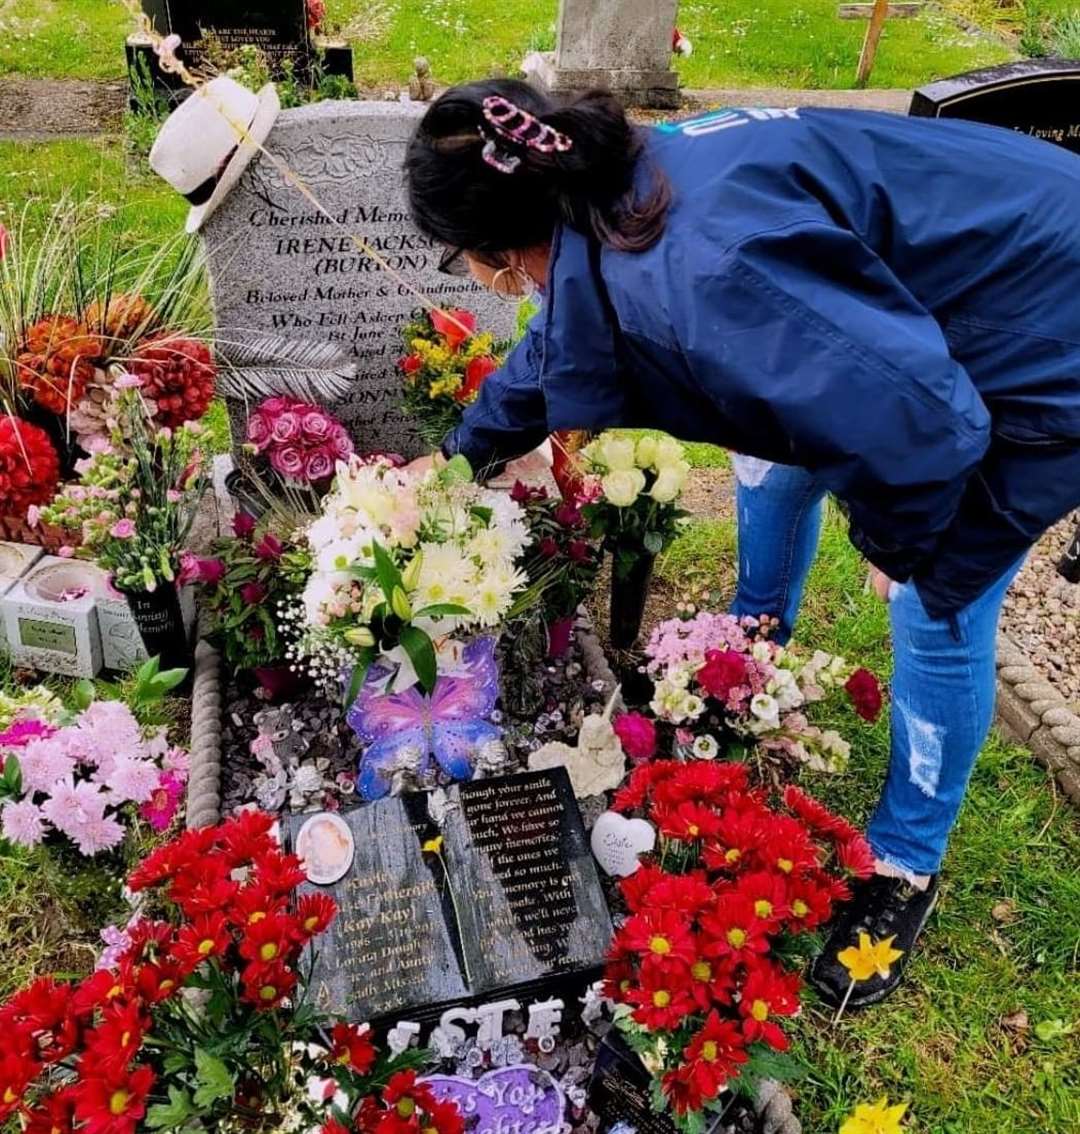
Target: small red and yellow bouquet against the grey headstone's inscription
(446, 365)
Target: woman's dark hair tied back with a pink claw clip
(465, 202)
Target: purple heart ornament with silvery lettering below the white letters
(511, 1101)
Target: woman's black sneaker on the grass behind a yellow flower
(882, 908)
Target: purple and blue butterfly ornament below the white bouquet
(404, 732)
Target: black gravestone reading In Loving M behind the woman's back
(1036, 97)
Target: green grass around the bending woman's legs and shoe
(952, 1042)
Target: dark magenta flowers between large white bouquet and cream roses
(563, 563)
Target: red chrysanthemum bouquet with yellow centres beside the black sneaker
(697, 967)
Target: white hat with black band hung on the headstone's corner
(209, 141)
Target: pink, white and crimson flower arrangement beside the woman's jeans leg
(719, 679)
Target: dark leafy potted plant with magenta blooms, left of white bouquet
(244, 580)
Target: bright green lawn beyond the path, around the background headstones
(741, 43)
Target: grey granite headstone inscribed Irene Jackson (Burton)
(279, 267)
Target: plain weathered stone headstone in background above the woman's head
(625, 46)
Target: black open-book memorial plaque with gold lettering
(510, 902)
